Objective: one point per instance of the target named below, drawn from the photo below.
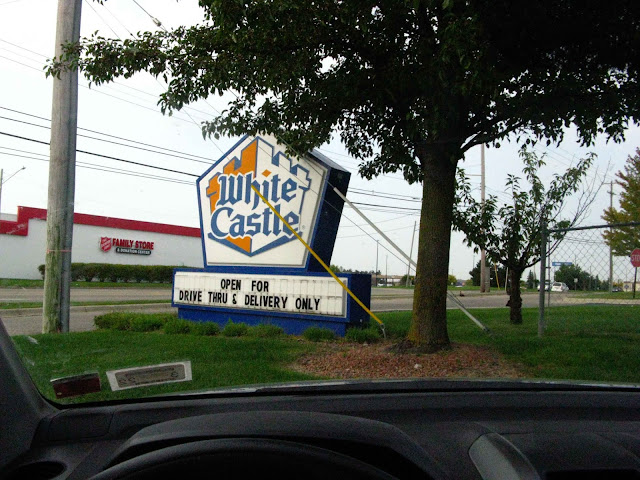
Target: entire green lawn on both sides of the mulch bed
(586, 343)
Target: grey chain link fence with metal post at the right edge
(580, 270)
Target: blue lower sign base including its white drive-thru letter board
(294, 302)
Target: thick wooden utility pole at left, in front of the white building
(62, 167)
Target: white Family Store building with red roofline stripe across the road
(96, 239)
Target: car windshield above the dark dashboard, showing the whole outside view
(272, 195)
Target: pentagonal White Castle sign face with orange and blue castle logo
(237, 227)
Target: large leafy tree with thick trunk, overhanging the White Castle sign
(408, 86)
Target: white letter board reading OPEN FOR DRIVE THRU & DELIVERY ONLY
(275, 293)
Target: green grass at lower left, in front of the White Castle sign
(216, 361)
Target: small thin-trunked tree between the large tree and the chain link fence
(511, 233)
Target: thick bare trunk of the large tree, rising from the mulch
(428, 330)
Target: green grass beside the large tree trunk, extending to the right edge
(588, 343)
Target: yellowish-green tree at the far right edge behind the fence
(623, 240)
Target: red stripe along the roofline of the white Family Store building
(21, 226)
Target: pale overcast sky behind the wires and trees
(126, 111)
